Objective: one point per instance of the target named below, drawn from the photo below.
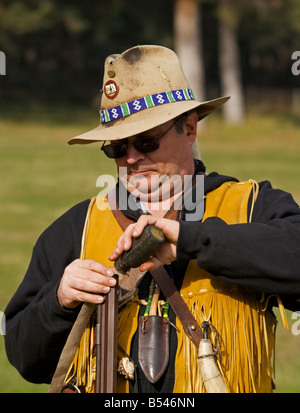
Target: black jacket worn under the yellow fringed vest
(263, 255)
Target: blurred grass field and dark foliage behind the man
(55, 52)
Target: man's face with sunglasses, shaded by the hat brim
(144, 172)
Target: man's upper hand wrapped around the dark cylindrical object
(165, 254)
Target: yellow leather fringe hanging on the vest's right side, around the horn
(247, 338)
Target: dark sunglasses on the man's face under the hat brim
(143, 144)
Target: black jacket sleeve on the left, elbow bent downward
(36, 325)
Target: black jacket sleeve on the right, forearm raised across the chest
(263, 255)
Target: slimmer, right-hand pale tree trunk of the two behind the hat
(230, 74)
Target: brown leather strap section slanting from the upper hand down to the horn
(190, 325)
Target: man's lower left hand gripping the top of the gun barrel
(84, 281)
